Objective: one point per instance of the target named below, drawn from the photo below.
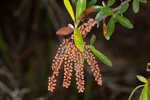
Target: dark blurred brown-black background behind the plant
(28, 43)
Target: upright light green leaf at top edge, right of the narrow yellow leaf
(81, 5)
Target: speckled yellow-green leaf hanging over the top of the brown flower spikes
(78, 40)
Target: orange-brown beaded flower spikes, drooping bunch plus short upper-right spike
(73, 60)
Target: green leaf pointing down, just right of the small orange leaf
(110, 27)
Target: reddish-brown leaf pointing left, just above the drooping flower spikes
(64, 31)
